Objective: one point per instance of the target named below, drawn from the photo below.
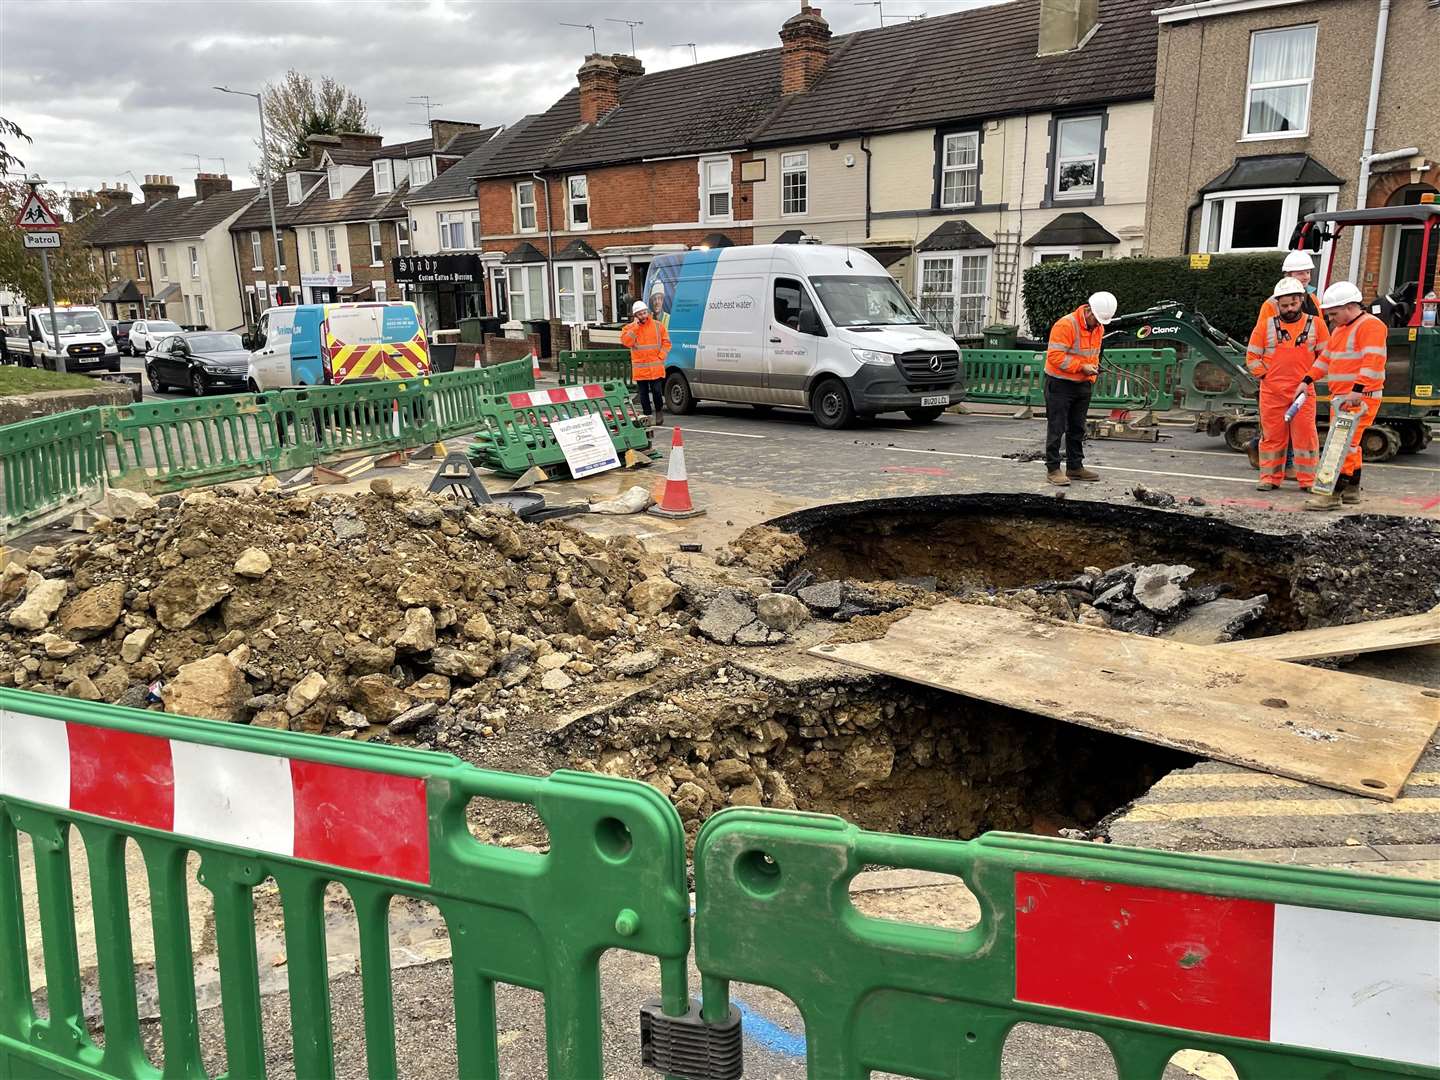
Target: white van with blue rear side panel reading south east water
(824, 329)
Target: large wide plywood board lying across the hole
(1346, 732)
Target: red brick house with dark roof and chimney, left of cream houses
(621, 169)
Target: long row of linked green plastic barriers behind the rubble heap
(55, 464)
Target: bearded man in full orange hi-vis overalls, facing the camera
(1282, 355)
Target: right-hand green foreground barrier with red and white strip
(1291, 974)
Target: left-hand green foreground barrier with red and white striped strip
(309, 811)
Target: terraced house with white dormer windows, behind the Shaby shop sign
(342, 217)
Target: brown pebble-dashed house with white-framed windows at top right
(1282, 127)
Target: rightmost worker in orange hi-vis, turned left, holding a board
(1354, 365)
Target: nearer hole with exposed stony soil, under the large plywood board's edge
(883, 754)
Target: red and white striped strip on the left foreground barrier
(352, 819)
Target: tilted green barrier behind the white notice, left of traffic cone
(516, 434)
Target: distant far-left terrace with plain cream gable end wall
(171, 257)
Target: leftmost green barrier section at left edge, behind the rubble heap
(50, 464)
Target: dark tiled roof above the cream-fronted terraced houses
(968, 66)
